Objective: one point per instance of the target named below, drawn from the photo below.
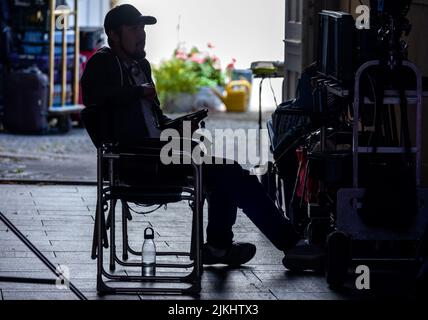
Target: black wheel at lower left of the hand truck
(338, 256)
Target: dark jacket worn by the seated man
(106, 84)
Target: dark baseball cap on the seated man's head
(127, 15)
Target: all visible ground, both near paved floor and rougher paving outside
(59, 220)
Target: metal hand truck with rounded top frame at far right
(350, 226)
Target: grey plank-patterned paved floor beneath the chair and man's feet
(59, 220)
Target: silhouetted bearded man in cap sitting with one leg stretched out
(119, 78)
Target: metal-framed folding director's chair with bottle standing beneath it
(156, 188)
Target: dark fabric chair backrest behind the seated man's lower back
(97, 125)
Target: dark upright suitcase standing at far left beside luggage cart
(26, 102)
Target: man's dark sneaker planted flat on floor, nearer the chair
(237, 254)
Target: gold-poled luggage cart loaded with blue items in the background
(45, 40)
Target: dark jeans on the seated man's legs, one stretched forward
(229, 187)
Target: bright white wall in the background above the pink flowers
(248, 30)
